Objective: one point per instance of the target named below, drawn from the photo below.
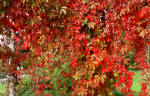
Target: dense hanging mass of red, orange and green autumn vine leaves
(78, 47)
